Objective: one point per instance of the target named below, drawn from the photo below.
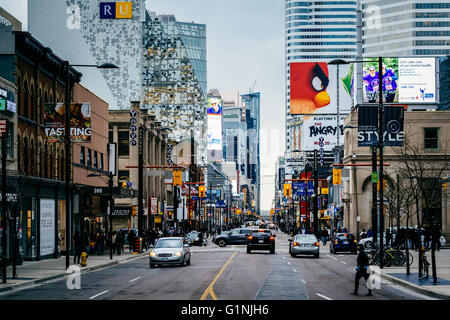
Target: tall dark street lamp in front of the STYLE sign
(380, 145)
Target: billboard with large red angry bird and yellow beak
(313, 88)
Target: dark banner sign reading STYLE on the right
(392, 127)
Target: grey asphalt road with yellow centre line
(227, 273)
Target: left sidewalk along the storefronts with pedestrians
(33, 272)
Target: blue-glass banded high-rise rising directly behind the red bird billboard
(315, 31)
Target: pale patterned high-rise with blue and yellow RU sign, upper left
(84, 36)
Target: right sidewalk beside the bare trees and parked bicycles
(440, 290)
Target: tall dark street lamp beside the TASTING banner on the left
(68, 146)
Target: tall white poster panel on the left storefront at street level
(47, 226)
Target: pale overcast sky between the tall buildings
(245, 42)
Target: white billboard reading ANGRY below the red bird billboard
(320, 132)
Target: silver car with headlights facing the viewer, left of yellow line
(170, 251)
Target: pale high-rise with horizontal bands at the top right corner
(406, 28)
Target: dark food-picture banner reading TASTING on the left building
(80, 122)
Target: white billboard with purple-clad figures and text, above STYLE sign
(405, 80)
